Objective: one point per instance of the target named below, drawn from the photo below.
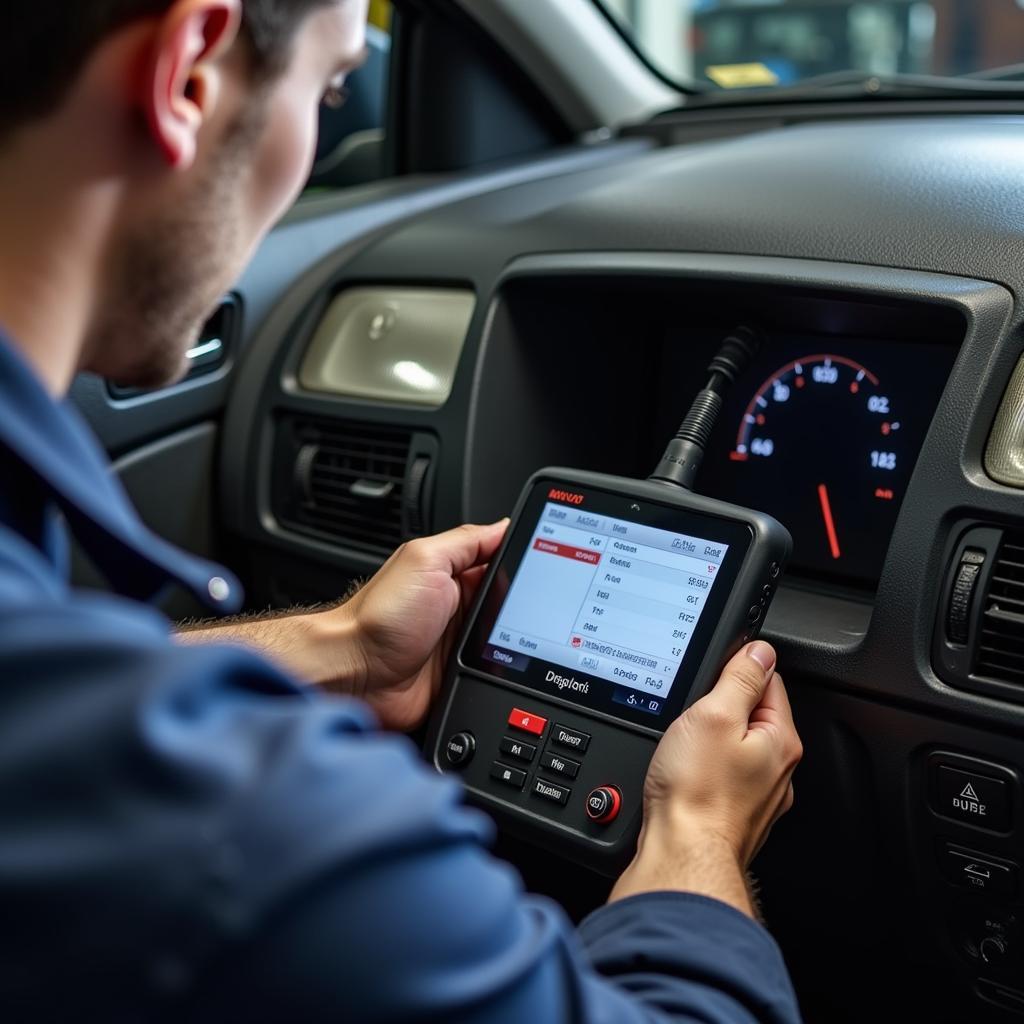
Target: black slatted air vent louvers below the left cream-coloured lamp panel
(347, 482)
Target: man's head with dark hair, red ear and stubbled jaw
(189, 127)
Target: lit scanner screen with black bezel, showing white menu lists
(599, 599)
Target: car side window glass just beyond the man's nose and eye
(352, 138)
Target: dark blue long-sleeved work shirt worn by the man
(188, 834)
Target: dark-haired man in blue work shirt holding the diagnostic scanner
(218, 831)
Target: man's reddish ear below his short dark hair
(182, 80)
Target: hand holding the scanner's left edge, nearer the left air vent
(405, 622)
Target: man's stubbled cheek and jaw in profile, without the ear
(184, 246)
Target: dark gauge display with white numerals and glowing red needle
(824, 434)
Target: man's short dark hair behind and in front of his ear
(45, 45)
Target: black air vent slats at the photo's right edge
(1001, 644)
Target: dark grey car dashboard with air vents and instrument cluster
(881, 259)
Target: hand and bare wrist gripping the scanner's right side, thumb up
(720, 779)
